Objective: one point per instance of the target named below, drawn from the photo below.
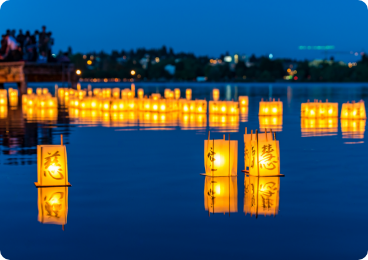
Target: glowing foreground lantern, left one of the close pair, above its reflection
(220, 157)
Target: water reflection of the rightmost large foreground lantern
(261, 195)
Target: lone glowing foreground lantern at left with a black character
(52, 165)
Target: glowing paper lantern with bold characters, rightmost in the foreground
(262, 154)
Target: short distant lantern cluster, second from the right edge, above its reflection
(319, 109)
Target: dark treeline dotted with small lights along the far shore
(165, 65)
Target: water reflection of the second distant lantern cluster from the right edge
(319, 126)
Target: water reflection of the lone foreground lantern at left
(53, 205)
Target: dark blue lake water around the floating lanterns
(137, 194)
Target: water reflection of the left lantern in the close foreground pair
(220, 194)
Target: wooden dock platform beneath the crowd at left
(21, 72)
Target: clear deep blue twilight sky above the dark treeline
(204, 27)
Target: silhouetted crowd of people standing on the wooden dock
(35, 47)
